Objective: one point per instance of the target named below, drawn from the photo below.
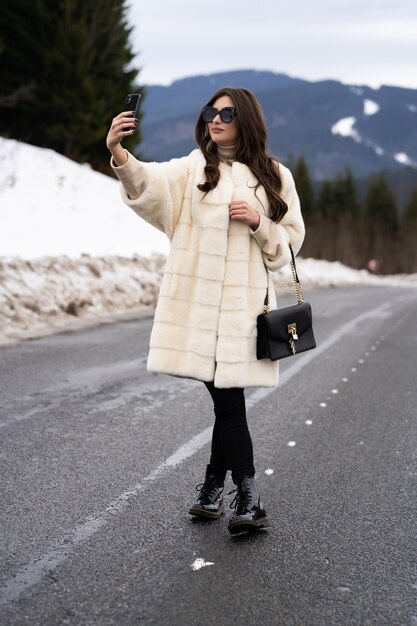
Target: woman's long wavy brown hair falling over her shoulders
(251, 149)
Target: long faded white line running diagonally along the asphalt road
(38, 567)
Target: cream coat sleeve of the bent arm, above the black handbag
(273, 238)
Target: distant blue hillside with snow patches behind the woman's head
(332, 124)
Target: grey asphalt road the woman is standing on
(99, 462)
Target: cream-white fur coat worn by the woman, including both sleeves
(214, 282)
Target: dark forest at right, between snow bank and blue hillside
(368, 233)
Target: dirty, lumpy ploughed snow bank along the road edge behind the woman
(45, 295)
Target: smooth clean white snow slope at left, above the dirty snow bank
(50, 205)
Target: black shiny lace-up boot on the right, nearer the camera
(249, 513)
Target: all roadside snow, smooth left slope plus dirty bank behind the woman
(72, 253)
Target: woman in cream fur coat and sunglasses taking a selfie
(230, 211)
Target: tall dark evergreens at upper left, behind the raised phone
(65, 69)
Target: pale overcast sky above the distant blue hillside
(369, 42)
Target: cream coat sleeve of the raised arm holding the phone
(155, 191)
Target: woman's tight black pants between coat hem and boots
(231, 446)
